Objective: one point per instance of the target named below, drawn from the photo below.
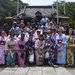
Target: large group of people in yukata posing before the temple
(36, 43)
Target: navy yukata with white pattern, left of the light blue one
(52, 47)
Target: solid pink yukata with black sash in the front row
(17, 48)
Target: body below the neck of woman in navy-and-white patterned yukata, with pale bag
(49, 53)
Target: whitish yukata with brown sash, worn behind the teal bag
(10, 45)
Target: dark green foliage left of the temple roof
(8, 6)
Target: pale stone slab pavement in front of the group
(35, 71)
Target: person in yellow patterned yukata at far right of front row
(70, 51)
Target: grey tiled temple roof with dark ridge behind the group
(31, 10)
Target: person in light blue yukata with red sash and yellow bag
(61, 43)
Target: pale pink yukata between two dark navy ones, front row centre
(39, 51)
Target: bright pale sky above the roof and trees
(42, 2)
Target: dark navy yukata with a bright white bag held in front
(30, 47)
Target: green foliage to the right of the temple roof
(70, 11)
